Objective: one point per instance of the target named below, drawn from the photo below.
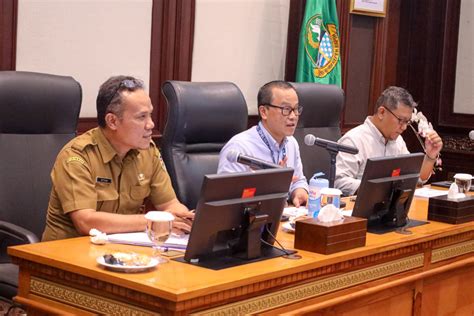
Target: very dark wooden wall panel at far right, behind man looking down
(427, 68)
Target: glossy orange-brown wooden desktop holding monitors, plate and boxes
(176, 282)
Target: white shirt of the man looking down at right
(371, 144)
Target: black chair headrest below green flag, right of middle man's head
(322, 104)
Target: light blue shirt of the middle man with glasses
(250, 143)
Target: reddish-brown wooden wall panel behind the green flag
(369, 54)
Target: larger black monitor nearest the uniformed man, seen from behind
(236, 216)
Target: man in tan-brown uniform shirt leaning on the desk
(102, 178)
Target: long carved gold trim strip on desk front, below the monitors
(317, 288)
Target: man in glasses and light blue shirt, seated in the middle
(272, 139)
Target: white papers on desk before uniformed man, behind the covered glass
(141, 239)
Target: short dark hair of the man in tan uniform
(109, 98)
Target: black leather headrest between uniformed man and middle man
(203, 112)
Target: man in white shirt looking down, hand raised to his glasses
(380, 136)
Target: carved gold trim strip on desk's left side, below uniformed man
(84, 300)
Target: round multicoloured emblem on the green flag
(321, 45)
